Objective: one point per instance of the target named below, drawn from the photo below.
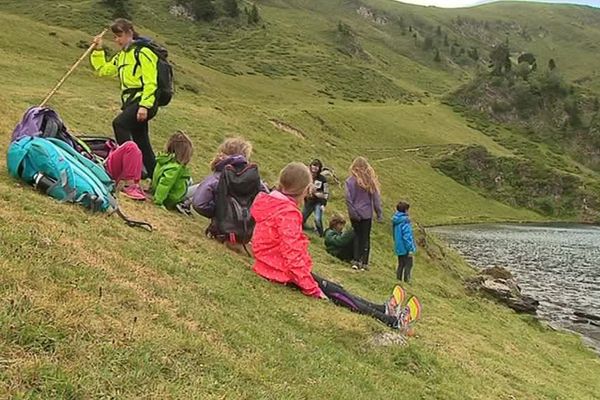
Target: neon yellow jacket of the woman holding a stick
(139, 84)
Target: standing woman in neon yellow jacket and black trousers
(136, 67)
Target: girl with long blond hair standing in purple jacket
(362, 197)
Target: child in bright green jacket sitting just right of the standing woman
(171, 176)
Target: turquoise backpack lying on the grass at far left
(73, 178)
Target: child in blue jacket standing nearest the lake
(404, 243)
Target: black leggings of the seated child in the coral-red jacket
(341, 297)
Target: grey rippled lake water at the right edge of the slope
(559, 265)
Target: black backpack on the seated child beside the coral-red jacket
(236, 190)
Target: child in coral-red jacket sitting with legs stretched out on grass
(281, 251)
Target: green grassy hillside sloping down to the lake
(93, 309)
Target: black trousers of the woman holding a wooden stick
(127, 127)
